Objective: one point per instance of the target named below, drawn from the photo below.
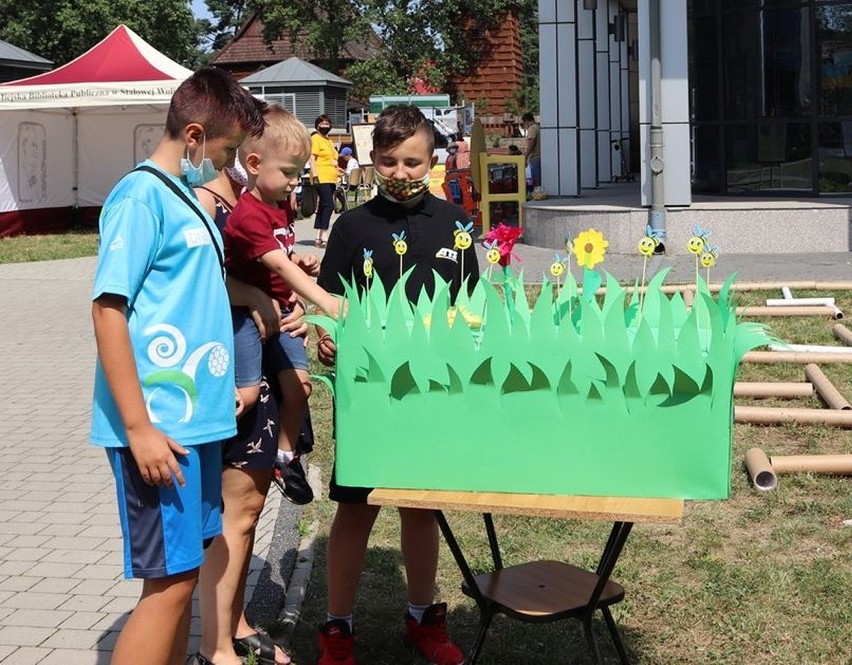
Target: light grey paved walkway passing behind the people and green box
(62, 595)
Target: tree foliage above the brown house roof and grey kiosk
(430, 40)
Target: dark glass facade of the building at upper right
(771, 97)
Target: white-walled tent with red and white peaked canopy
(66, 136)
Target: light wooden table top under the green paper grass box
(610, 508)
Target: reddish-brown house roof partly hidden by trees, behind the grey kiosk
(248, 46)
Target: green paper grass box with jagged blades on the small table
(564, 395)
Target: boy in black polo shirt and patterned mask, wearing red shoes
(403, 156)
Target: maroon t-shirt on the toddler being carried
(253, 229)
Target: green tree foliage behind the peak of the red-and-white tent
(61, 30)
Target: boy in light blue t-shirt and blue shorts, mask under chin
(164, 384)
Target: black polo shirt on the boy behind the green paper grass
(428, 230)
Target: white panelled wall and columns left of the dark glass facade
(585, 97)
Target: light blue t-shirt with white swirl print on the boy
(156, 252)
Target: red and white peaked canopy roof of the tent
(122, 69)
